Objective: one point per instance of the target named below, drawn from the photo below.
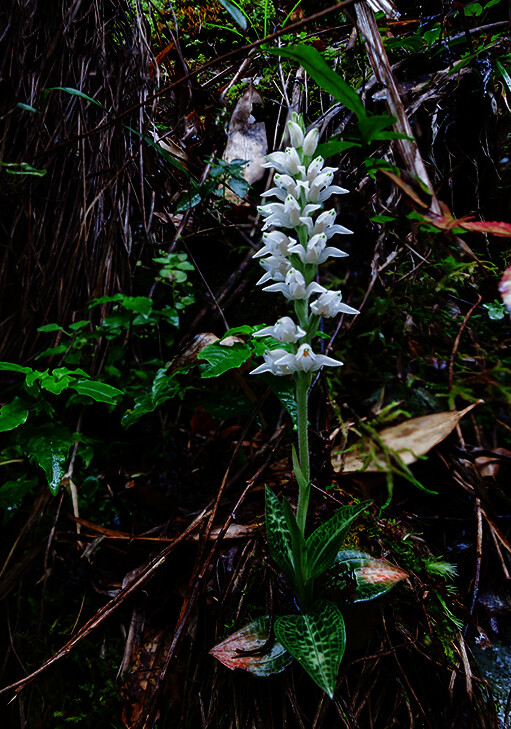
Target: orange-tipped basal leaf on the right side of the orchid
(374, 577)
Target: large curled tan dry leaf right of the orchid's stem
(409, 440)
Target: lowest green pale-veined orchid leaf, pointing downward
(317, 640)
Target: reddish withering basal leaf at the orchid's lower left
(252, 636)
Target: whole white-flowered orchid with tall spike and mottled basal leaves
(296, 239)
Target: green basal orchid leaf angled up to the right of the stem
(324, 543)
